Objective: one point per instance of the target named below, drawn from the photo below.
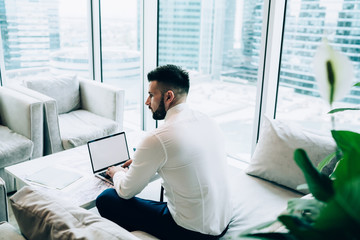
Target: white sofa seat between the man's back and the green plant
(255, 201)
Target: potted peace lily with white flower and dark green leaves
(333, 211)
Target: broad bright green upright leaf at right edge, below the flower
(349, 166)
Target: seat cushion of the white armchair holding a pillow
(78, 127)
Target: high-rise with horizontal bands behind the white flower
(304, 29)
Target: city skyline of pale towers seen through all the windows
(203, 38)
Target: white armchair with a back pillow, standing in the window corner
(76, 110)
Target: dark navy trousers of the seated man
(149, 216)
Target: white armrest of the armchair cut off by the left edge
(24, 115)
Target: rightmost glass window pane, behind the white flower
(306, 24)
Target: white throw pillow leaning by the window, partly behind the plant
(273, 158)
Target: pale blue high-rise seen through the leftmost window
(28, 37)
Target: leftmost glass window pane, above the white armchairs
(44, 37)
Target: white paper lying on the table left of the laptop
(54, 177)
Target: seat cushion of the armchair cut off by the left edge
(14, 148)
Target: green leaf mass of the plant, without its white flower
(334, 212)
